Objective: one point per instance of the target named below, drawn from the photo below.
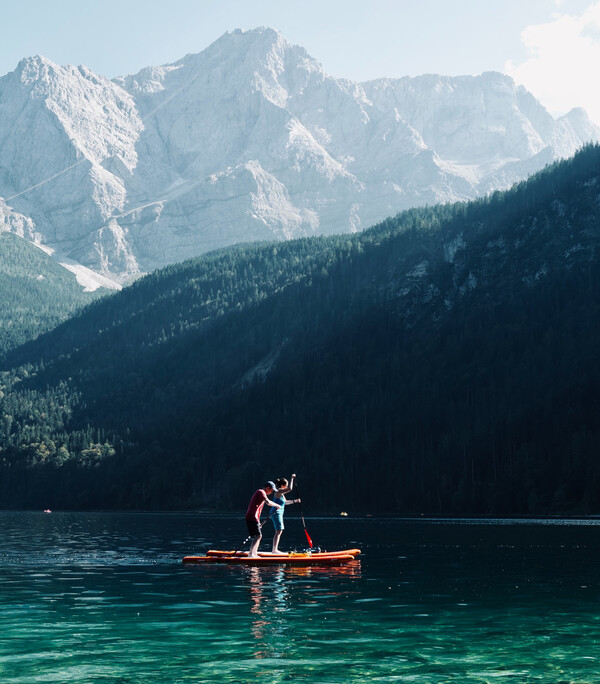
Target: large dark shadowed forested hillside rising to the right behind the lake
(446, 361)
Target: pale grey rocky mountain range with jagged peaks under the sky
(250, 140)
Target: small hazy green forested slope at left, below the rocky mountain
(36, 293)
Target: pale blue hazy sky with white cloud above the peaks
(550, 46)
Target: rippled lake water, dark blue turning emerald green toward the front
(104, 598)
